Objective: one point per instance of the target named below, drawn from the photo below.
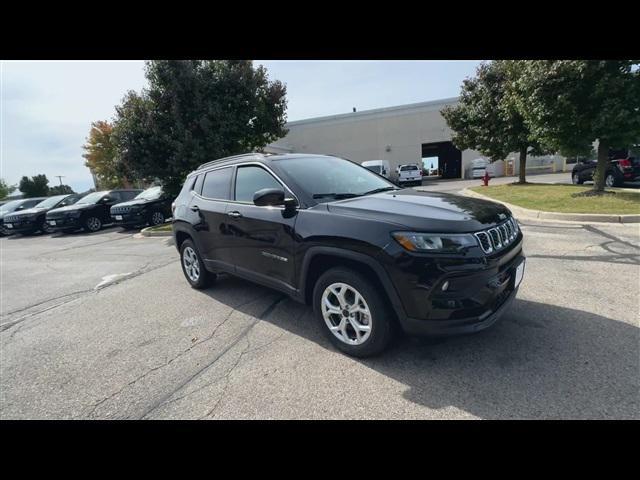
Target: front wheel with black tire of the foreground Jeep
(352, 313)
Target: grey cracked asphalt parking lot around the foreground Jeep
(104, 326)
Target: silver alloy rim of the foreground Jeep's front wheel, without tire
(346, 313)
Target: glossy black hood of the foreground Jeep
(424, 211)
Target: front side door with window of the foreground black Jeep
(263, 237)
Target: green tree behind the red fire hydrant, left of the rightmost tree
(486, 118)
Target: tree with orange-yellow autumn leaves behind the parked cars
(100, 157)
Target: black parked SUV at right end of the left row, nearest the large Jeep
(151, 207)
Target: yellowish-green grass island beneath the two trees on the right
(557, 198)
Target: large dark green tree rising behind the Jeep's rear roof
(195, 111)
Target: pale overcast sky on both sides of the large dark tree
(47, 107)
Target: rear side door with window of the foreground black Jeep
(210, 204)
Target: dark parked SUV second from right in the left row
(90, 213)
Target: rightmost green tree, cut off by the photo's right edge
(572, 104)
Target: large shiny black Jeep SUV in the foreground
(367, 255)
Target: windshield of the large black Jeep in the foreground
(327, 178)
